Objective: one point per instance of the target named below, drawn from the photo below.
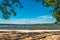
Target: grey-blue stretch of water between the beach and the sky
(29, 27)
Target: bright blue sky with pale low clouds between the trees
(32, 13)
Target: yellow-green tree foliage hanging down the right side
(55, 4)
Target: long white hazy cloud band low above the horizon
(40, 19)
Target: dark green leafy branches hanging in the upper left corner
(7, 7)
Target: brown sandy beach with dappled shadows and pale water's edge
(29, 35)
